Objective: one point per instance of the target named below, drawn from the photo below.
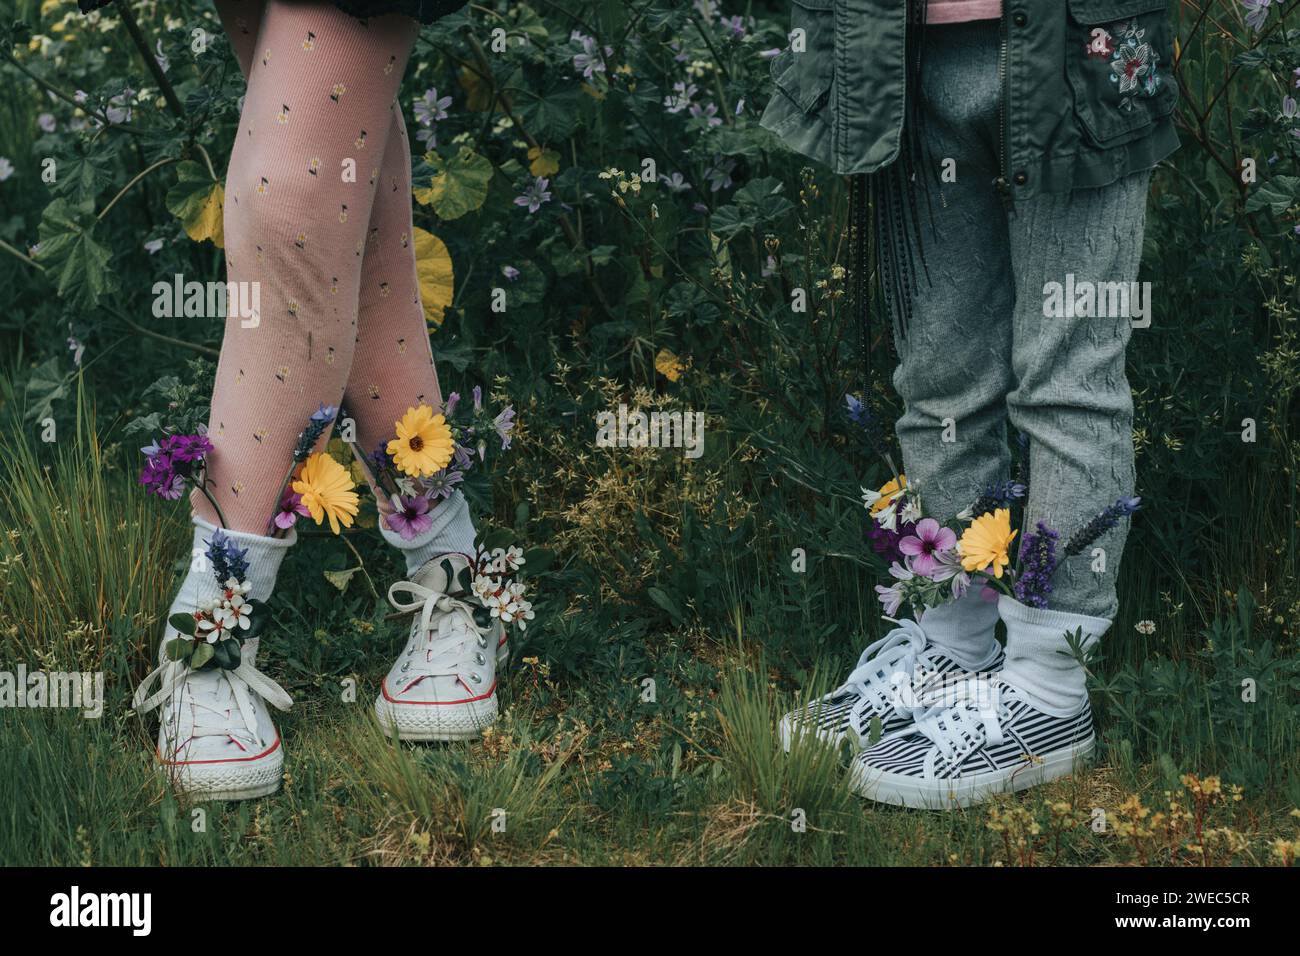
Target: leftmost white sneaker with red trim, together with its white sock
(216, 738)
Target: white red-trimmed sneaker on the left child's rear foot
(444, 686)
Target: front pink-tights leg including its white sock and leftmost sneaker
(320, 85)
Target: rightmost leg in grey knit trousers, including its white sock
(1073, 400)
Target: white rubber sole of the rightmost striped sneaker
(902, 790)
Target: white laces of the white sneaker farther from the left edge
(453, 642)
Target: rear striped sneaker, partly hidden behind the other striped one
(895, 680)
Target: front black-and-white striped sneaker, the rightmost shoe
(989, 742)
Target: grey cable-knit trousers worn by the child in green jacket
(980, 351)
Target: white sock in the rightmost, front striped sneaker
(1039, 663)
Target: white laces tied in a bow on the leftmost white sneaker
(205, 694)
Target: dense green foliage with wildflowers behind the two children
(665, 568)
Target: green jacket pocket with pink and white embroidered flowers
(1119, 60)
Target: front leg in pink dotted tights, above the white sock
(319, 101)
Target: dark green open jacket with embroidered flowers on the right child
(1087, 89)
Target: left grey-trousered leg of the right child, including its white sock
(955, 366)
